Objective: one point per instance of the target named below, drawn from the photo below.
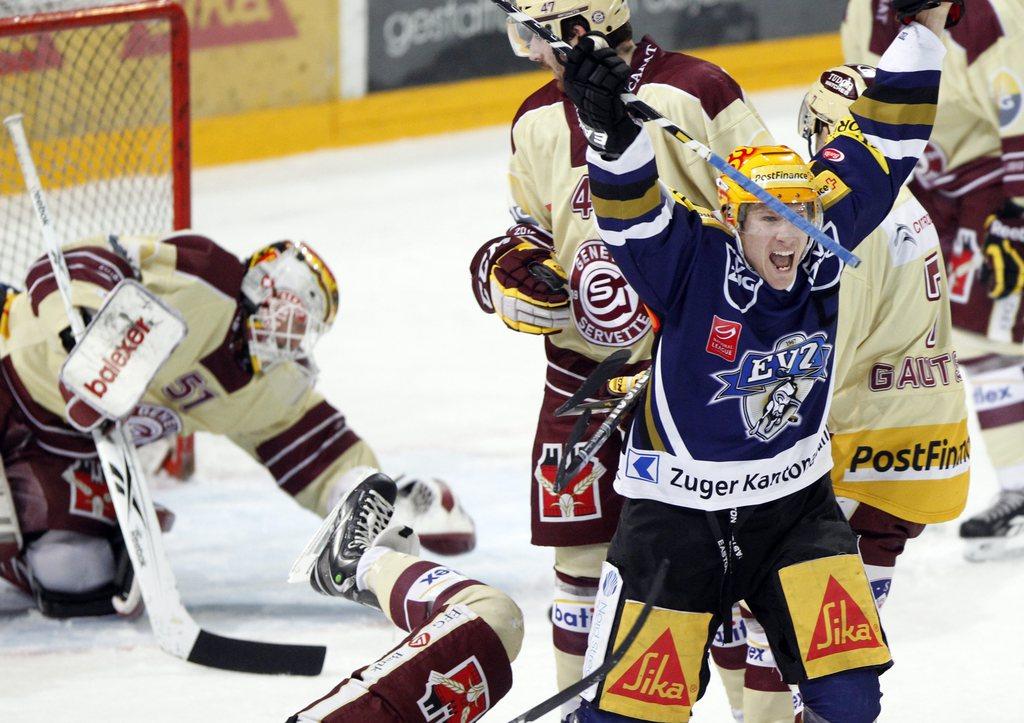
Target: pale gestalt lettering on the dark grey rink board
(454, 20)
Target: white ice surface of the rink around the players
(437, 388)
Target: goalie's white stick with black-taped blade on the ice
(175, 629)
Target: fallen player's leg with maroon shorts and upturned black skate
(463, 635)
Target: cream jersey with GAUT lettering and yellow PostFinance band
(899, 415)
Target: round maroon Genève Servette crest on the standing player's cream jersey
(606, 310)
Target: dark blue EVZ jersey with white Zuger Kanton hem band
(736, 411)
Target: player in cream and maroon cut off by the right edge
(971, 182)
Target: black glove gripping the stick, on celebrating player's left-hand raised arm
(595, 77)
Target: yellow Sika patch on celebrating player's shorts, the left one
(659, 678)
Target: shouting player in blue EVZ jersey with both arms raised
(744, 511)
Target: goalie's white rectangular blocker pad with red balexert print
(122, 350)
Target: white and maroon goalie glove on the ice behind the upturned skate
(430, 507)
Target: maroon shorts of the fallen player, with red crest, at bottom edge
(452, 668)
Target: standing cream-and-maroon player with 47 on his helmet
(590, 312)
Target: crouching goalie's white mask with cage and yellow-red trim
(293, 301)
